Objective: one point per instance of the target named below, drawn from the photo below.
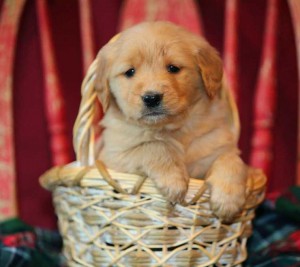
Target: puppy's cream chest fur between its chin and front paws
(198, 139)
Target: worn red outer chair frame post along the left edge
(9, 22)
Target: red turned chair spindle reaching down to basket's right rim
(265, 95)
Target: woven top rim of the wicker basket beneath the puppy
(75, 175)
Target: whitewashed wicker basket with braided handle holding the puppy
(108, 218)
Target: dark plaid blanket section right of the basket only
(275, 241)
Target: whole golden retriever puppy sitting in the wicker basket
(160, 88)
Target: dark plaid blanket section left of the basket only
(22, 245)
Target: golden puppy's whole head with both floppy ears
(155, 71)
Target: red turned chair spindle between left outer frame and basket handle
(54, 102)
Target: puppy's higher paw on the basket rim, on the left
(174, 188)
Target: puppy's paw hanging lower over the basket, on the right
(227, 201)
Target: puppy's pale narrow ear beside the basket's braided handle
(102, 84)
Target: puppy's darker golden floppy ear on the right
(211, 67)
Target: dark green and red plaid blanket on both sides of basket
(275, 241)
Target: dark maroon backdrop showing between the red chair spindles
(31, 135)
